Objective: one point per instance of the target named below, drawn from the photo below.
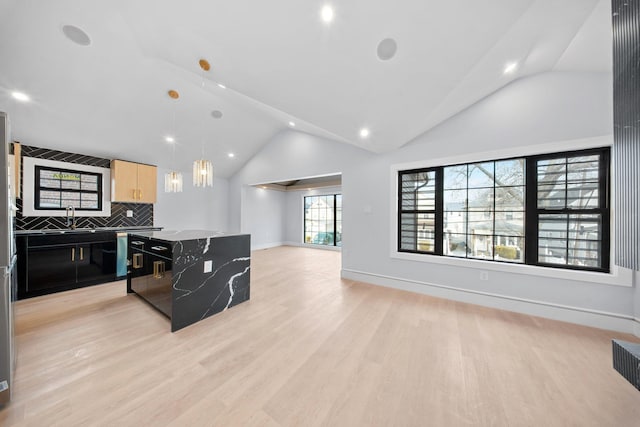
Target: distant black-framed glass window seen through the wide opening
(323, 220)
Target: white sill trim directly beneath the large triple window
(618, 276)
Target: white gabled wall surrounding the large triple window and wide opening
(544, 110)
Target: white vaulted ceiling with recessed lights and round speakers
(280, 62)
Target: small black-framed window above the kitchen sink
(56, 189)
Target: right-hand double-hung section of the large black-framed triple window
(571, 210)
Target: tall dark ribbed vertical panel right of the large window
(626, 132)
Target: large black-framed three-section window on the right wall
(550, 210)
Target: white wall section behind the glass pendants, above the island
(193, 208)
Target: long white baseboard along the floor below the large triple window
(578, 315)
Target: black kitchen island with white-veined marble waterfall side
(189, 275)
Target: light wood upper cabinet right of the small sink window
(133, 182)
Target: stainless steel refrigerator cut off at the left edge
(8, 273)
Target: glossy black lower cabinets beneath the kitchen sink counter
(56, 263)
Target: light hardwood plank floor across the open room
(309, 349)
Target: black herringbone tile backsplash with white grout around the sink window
(142, 212)
